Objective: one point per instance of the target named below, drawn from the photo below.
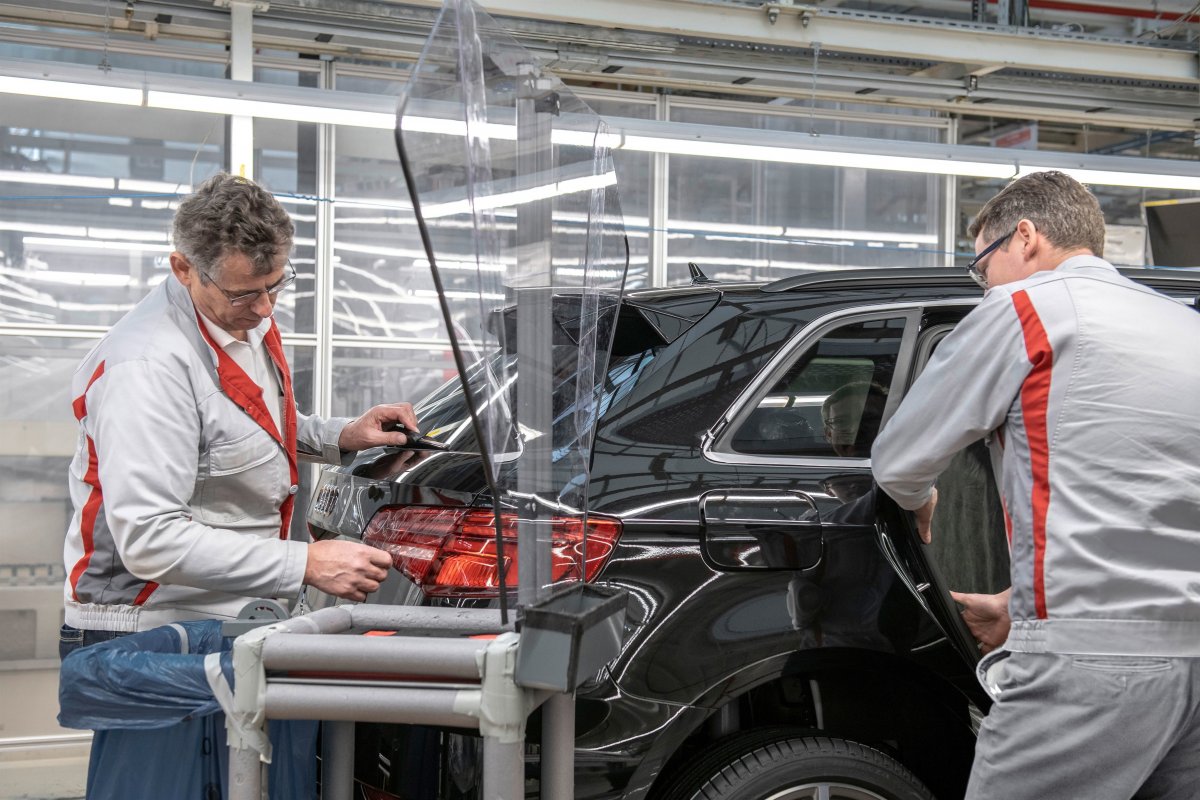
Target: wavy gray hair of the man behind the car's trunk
(229, 215)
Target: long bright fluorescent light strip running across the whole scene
(359, 110)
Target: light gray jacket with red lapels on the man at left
(183, 485)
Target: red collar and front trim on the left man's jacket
(249, 396)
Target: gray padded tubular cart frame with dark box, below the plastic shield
(429, 672)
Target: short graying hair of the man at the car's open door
(1059, 207)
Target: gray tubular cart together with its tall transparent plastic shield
(512, 181)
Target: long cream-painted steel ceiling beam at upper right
(866, 33)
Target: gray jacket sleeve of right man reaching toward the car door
(963, 395)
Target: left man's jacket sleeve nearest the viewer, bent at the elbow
(146, 432)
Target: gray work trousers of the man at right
(1090, 727)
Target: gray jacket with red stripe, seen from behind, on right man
(1087, 387)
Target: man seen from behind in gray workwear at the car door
(1085, 386)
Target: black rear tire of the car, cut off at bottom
(797, 768)
